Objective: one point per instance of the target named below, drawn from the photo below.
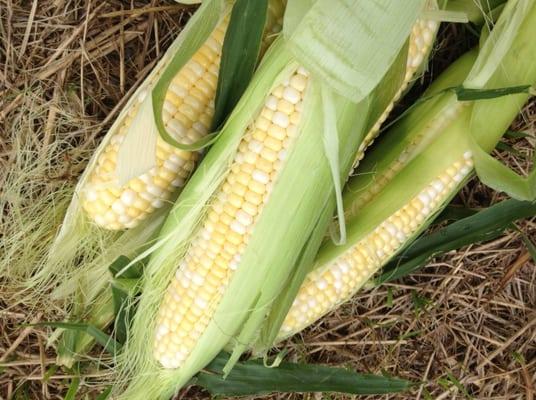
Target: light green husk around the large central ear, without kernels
(265, 264)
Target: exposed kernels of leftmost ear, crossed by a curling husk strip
(188, 111)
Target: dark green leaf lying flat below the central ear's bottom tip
(253, 378)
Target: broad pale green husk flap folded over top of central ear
(347, 43)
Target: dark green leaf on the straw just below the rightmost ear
(484, 225)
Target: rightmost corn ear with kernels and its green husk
(430, 168)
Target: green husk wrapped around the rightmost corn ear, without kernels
(431, 152)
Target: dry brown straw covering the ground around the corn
(465, 325)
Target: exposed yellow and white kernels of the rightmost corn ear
(327, 287)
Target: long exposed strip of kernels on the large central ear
(215, 252)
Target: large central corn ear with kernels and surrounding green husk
(239, 226)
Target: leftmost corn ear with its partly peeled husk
(81, 248)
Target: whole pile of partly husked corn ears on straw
(252, 218)
